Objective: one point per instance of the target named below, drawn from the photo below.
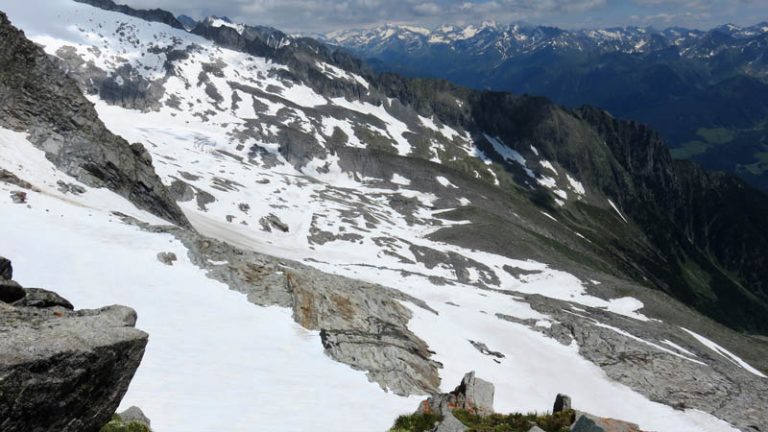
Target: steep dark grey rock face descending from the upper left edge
(37, 97)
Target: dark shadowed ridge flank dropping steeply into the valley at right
(684, 221)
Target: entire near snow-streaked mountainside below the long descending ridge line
(314, 245)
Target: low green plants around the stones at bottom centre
(560, 422)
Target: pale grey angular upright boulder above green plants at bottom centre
(473, 394)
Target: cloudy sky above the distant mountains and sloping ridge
(329, 15)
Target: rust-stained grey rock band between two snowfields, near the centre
(361, 324)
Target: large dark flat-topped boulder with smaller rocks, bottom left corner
(64, 370)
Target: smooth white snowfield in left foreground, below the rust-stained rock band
(214, 360)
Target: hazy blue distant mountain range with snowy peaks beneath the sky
(705, 91)
